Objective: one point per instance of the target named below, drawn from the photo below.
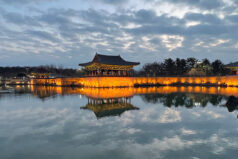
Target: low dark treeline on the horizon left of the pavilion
(19, 71)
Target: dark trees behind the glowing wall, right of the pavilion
(183, 67)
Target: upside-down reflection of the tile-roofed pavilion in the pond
(110, 106)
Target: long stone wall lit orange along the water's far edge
(131, 81)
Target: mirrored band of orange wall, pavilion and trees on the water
(114, 101)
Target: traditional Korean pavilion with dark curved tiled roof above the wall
(107, 65)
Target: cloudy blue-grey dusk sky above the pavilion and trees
(69, 32)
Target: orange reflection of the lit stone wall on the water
(131, 91)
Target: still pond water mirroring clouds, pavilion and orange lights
(122, 123)
